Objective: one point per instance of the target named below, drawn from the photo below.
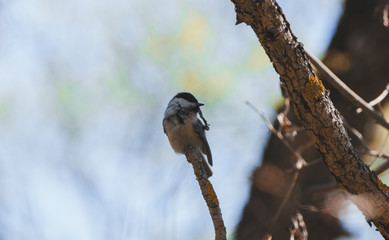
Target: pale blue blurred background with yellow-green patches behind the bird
(83, 88)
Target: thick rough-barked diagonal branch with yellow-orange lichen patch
(315, 110)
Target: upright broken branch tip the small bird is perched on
(195, 158)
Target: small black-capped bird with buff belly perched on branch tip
(183, 128)
